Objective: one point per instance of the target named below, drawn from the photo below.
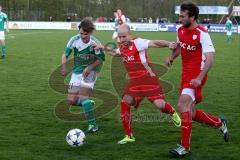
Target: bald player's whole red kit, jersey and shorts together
(136, 62)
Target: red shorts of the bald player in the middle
(144, 88)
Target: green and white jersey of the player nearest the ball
(84, 53)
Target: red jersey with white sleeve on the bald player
(134, 57)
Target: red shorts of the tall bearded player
(198, 90)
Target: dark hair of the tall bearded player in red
(192, 9)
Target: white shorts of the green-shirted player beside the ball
(78, 81)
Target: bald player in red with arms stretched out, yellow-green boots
(143, 80)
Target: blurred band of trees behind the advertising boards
(59, 10)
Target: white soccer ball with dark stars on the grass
(75, 137)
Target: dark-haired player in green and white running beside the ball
(87, 63)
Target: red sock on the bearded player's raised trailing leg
(205, 118)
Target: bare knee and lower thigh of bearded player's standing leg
(185, 103)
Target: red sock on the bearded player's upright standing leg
(186, 129)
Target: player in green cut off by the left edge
(3, 20)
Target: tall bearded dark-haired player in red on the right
(196, 48)
